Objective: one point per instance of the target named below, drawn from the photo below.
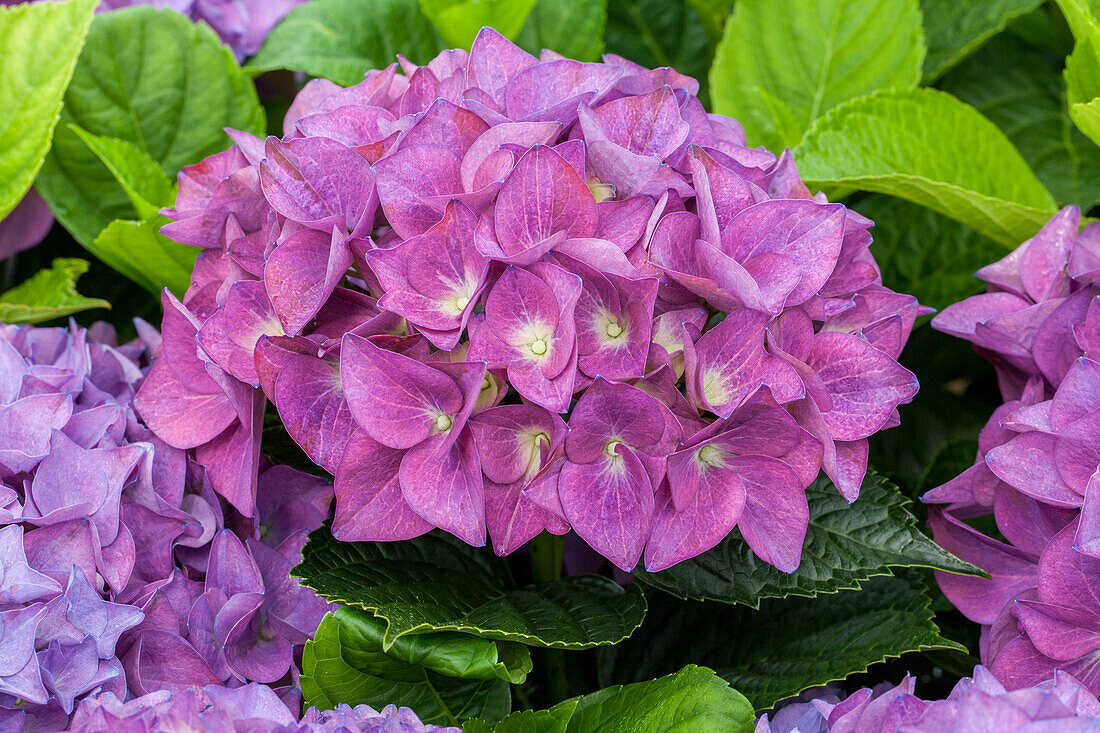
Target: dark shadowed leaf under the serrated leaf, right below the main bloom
(788, 646)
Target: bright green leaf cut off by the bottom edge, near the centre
(692, 701)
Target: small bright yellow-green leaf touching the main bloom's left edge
(139, 251)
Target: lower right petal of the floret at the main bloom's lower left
(444, 485)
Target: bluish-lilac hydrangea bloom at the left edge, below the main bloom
(122, 571)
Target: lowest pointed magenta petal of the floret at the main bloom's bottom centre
(610, 504)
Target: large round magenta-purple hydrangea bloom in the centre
(505, 294)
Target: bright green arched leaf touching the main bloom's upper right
(929, 148)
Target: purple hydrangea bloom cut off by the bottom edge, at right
(976, 705)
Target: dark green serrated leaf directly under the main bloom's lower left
(441, 584)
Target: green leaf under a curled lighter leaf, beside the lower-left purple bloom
(342, 666)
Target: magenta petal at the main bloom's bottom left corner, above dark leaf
(370, 507)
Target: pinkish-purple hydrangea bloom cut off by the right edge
(1037, 471)
